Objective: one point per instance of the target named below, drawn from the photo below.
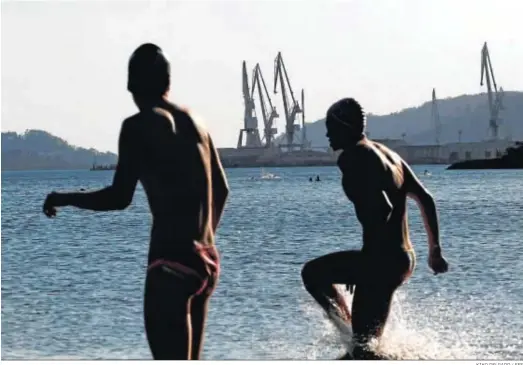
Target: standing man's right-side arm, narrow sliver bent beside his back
(220, 186)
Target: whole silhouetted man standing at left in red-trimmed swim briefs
(176, 161)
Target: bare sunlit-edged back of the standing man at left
(175, 158)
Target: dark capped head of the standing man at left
(149, 73)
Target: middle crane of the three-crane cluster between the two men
(268, 114)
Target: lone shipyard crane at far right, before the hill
(495, 97)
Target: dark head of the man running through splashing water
(345, 123)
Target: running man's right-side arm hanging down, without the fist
(427, 207)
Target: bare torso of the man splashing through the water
(374, 179)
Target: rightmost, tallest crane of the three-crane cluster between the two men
(291, 110)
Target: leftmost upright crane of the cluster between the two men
(250, 122)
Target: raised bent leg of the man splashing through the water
(320, 275)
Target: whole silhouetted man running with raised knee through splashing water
(377, 181)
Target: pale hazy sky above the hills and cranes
(64, 63)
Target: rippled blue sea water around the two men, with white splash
(72, 286)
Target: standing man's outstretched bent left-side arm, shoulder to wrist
(119, 195)
